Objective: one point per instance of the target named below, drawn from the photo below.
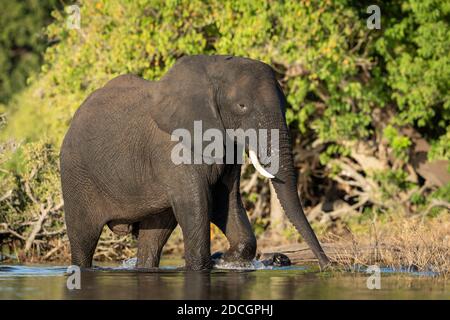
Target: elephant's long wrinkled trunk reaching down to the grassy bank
(285, 186)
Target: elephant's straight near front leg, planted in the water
(191, 205)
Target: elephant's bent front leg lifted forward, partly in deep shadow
(230, 216)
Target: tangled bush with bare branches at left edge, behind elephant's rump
(30, 199)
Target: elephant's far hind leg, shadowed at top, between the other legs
(154, 232)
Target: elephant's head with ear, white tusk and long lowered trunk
(229, 93)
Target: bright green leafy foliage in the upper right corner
(416, 49)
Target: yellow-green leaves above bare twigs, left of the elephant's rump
(31, 178)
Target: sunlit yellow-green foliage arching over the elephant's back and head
(318, 45)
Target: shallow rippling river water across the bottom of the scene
(119, 282)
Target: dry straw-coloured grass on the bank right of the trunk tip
(412, 243)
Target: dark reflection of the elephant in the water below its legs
(163, 284)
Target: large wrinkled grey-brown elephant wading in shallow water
(116, 167)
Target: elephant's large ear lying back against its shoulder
(186, 94)
